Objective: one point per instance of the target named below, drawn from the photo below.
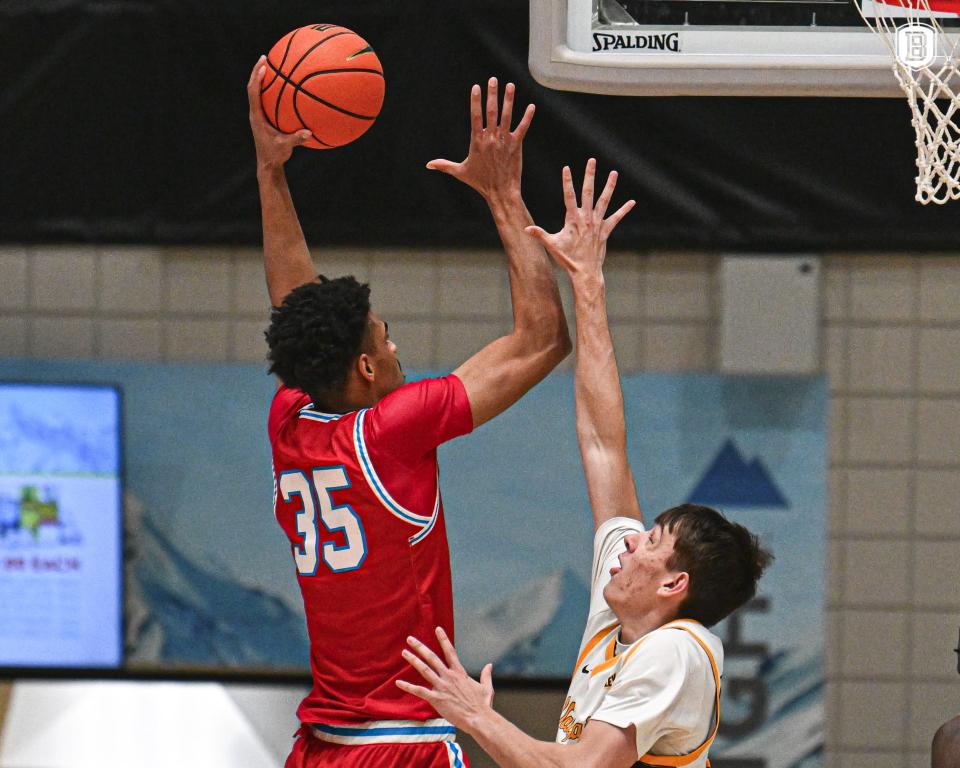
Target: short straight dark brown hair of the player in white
(724, 560)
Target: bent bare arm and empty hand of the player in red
(500, 373)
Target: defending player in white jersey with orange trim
(646, 685)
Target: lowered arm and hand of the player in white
(468, 705)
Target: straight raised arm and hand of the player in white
(579, 248)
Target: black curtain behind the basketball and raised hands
(125, 120)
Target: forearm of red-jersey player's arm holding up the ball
(286, 258)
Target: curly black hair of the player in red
(317, 332)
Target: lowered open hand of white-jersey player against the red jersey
(454, 694)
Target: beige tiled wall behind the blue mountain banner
(891, 349)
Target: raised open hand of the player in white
(581, 245)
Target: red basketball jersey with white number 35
(358, 496)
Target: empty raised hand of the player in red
(494, 162)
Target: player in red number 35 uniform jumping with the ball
(354, 451)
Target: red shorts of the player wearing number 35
(310, 752)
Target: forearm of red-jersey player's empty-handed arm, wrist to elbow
(535, 299)
